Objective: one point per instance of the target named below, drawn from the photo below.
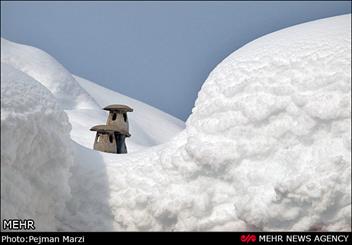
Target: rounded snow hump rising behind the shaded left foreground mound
(45, 69)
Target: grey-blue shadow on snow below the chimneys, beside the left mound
(88, 209)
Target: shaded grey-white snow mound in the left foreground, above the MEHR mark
(35, 151)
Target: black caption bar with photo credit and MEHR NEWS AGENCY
(213, 237)
